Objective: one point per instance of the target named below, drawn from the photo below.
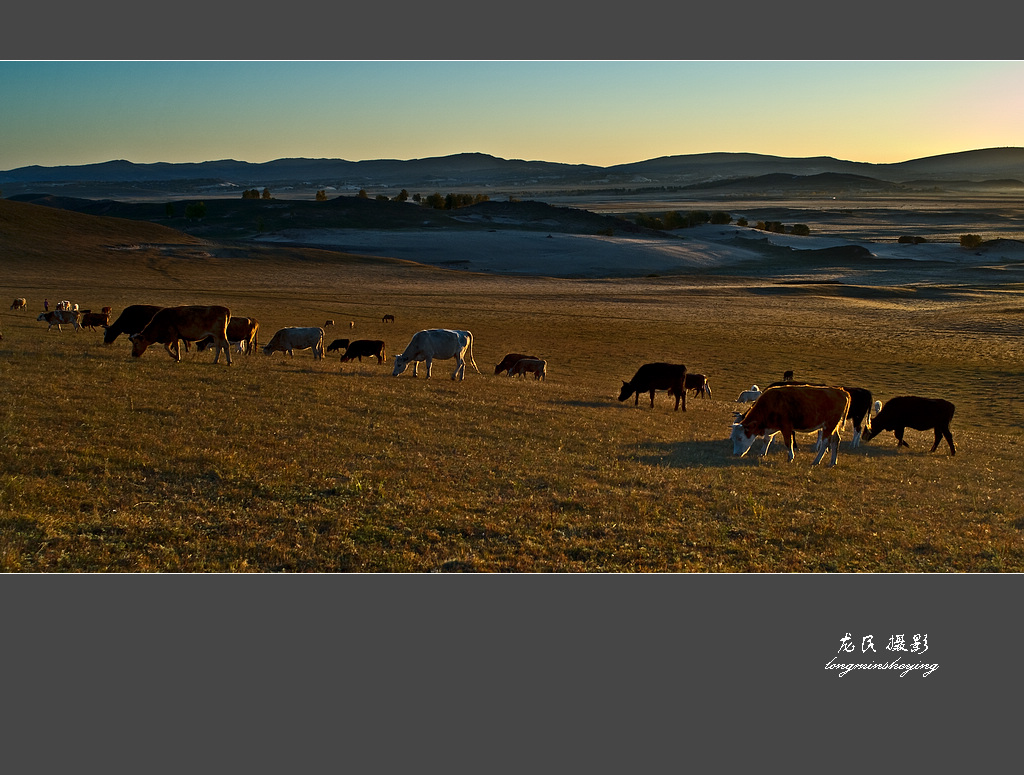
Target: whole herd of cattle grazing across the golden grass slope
(786, 408)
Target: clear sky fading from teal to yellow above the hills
(588, 112)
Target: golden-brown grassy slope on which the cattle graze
(114, 464)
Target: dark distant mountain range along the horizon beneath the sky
(989, 167)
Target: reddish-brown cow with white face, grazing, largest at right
(790, 410)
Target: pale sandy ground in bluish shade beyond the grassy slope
(720, 250)
